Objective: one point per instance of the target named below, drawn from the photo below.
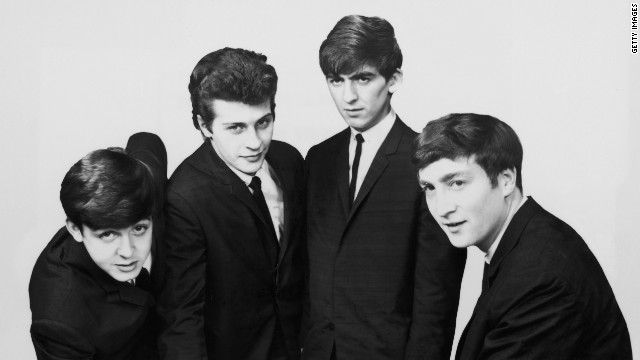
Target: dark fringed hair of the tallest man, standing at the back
(357, 41)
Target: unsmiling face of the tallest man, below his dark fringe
(363, 98)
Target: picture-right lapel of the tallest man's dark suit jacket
(379, 164)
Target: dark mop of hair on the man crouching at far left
(108, 189)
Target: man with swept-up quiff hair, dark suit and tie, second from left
(234, 259)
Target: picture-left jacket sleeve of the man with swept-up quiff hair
(182, 296)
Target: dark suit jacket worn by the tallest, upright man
(384, 281)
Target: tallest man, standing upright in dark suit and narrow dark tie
(384, 282)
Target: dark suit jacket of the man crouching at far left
(78, 310)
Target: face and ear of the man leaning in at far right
(463, 201)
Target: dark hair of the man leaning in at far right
(493, 143)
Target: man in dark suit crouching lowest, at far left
(89, 290)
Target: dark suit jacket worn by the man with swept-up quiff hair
(227, 286)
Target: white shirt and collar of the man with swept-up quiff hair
(272, 194)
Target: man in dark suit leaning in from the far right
(544, 294)
